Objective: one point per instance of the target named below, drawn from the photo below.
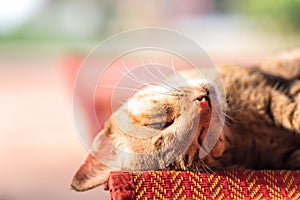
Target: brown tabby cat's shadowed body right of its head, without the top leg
(264, 123)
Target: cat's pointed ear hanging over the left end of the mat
(92, 173)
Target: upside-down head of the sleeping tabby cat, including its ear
(177, 125)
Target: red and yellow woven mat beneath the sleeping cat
(191, 185)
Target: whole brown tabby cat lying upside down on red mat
(261, 130)
